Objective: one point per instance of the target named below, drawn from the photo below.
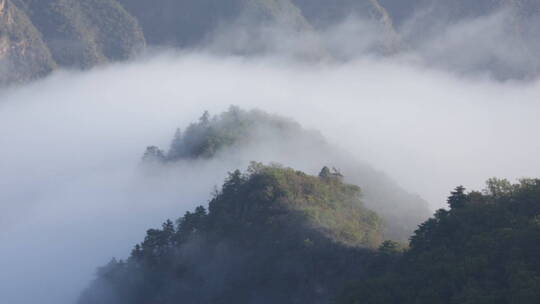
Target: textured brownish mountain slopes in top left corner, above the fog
(43, 34)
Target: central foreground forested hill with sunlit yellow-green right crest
(271, 235)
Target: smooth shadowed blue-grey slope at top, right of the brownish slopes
(187, 23)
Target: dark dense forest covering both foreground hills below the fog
(277, 235)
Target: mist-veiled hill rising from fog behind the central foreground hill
(237, 137)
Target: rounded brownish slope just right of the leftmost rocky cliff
(85, 33)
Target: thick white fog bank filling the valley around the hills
(73, 196)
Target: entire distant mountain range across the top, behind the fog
(82, 34)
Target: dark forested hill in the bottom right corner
(483, 250)
